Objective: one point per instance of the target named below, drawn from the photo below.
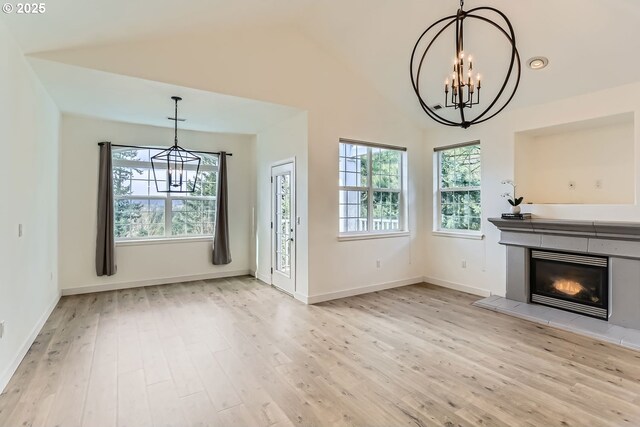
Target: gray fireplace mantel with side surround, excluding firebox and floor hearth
(619, 241)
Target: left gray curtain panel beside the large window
(105, 245)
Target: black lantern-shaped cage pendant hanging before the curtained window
(175, 170)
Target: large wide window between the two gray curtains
(140, 212)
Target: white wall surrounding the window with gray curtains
(145, 263)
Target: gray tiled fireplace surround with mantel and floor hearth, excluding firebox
(619, 241)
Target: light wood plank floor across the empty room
(233, 352)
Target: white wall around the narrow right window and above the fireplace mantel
(485, 272)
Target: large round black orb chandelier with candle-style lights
(463, 91)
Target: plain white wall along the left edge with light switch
(29, 127)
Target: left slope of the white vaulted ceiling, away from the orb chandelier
(74, 23)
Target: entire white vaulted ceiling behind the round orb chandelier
(591, 44)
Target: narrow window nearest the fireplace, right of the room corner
(458, 188)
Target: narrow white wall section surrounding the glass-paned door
(285, 140)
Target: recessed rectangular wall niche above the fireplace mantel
(586, 162)
